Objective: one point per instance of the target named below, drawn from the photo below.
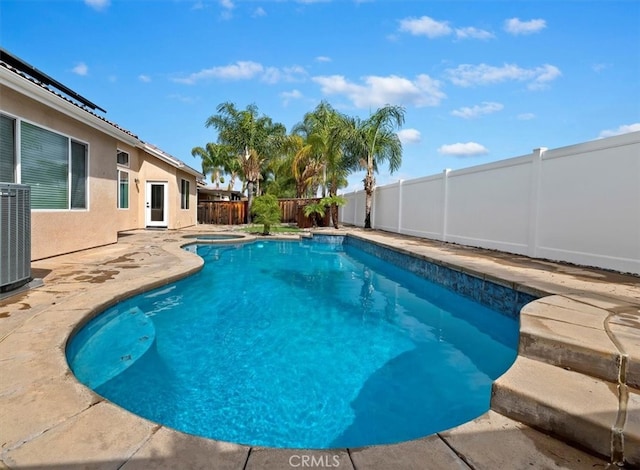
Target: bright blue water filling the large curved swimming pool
(299, 345)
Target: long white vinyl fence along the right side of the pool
(579, 204)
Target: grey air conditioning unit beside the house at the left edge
(15, 236)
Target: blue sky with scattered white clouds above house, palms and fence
(481, 81)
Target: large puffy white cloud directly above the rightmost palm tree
(379, 91)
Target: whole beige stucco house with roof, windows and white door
(90, 179)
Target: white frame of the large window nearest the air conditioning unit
(70, 139)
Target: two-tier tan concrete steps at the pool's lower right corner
(576, 375)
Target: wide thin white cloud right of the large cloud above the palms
(467, 75)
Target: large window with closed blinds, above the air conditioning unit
(53, 165)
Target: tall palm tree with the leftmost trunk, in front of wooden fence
(253, 138)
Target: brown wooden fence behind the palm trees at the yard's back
(235, 212)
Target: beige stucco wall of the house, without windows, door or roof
(64, 231)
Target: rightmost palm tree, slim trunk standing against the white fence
(372, 142)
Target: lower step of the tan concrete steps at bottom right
(583, 410)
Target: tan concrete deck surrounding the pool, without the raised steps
(57, 421)
